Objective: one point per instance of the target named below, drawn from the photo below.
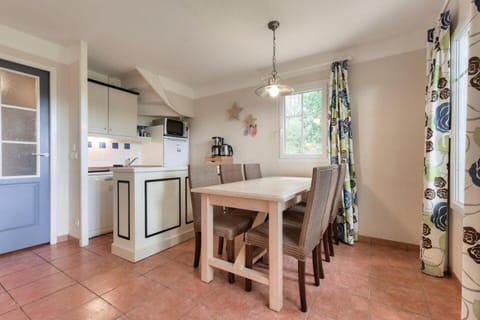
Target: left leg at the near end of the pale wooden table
(207, 239)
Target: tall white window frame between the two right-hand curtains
(459, 77)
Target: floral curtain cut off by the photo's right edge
(471, 220)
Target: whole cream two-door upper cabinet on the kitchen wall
(111, 110)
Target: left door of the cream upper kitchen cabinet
(97, 108)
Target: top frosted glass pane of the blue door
(18, 90)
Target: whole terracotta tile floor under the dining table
(362, 282)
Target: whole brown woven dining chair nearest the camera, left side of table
(225, 225)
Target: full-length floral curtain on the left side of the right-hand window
(437, 146)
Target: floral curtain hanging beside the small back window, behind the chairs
(340, 147)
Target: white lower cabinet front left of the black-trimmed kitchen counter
(100, 204)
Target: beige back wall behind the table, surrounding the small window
(388, 112)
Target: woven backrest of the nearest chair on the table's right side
(317, 207)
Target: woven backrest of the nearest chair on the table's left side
(201, 176)
